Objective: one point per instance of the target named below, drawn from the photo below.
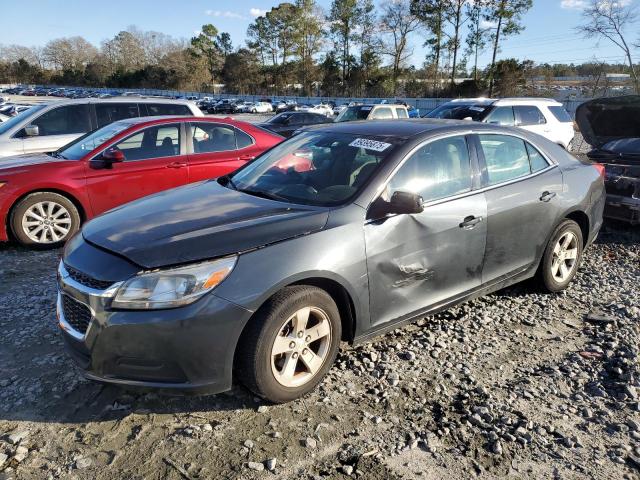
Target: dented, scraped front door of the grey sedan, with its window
(418, 261)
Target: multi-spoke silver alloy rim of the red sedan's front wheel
(46, 222)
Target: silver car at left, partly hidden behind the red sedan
(48, 126)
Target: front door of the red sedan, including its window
(152, 163)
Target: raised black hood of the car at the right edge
(604, 120)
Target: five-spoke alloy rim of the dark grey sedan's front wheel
(301, 347)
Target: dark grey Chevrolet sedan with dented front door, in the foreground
(259, 275)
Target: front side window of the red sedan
(152, 142)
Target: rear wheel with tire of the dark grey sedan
(566, 241)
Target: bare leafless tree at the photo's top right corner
(610, 19)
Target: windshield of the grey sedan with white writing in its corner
(313, 168)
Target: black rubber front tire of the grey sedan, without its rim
(283, 307)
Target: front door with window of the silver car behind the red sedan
(56, 128)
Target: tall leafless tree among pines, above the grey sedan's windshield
(398, 22)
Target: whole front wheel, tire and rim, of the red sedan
(61, 220)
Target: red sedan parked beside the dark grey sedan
(44, 198)
